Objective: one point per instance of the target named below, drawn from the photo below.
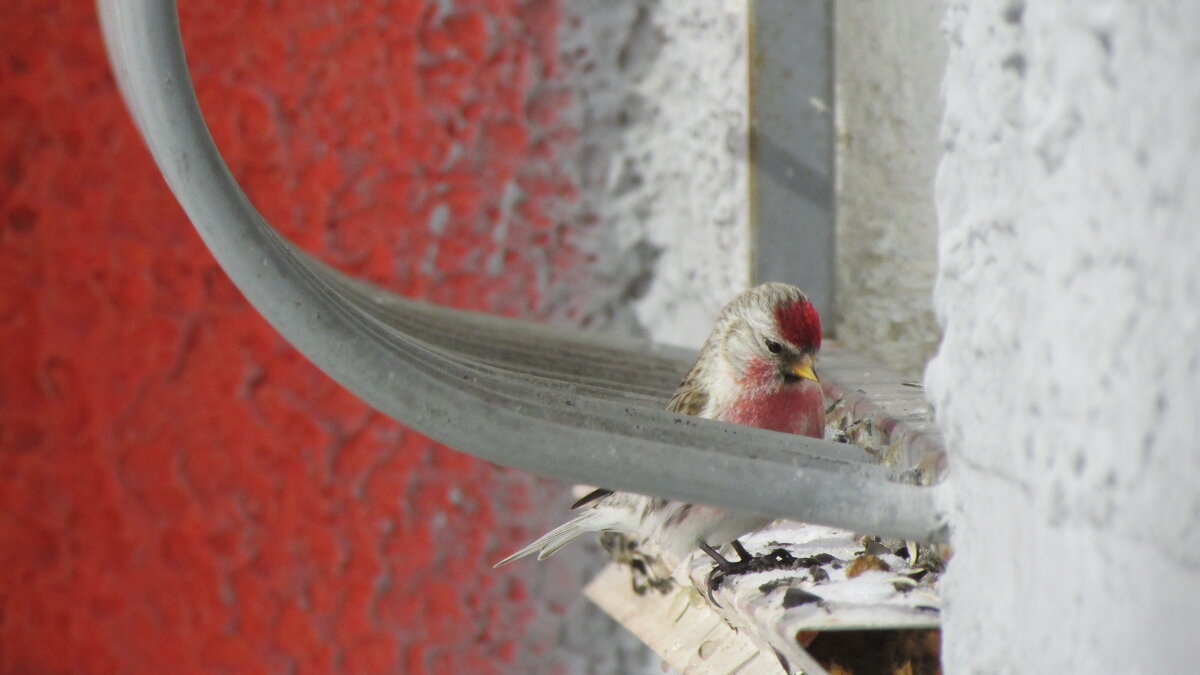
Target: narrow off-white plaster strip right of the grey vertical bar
(890, 62)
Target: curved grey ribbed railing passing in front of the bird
(555, 403)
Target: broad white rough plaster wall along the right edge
(1069, 381)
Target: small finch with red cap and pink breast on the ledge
(754, 369)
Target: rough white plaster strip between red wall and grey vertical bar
(661, 98)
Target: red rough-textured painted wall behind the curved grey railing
(179, 491)
